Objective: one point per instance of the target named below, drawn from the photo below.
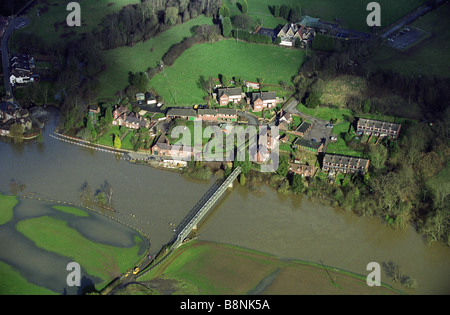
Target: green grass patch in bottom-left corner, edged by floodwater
(12, 283)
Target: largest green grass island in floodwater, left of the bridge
(56, 236)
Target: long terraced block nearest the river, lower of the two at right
(345, 164)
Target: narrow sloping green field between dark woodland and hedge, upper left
(140, 57)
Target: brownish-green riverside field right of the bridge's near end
(211, 268)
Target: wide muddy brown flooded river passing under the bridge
(292, 227)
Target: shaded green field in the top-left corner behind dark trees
(92, 13)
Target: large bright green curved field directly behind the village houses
(178, 84)
